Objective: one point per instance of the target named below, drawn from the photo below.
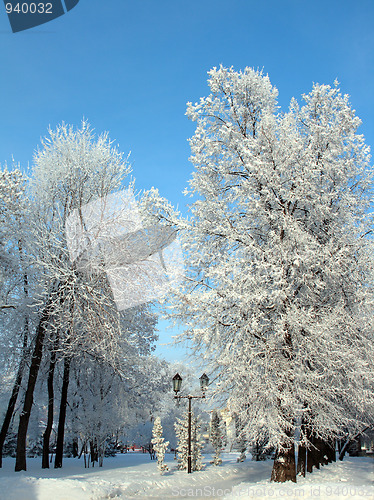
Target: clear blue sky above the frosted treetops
(129, 67)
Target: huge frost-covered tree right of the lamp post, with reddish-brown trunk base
(279, 288)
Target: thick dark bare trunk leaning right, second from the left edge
(29, 395)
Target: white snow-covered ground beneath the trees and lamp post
(133, 475)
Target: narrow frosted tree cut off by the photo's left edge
(15, 287)
